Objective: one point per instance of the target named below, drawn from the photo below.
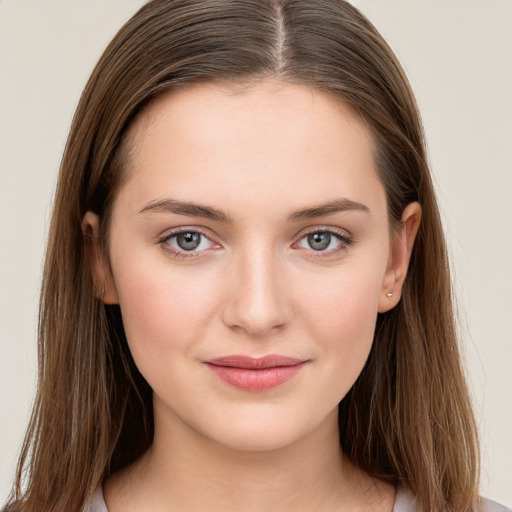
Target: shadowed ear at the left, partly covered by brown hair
(98, 262)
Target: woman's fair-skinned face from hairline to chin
(250, 254)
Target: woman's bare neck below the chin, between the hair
(184, 470)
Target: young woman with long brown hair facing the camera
(244, 236)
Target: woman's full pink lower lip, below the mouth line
(258, 379)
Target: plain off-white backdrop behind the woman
(458, 56)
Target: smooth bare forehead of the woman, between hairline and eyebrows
(268, 138)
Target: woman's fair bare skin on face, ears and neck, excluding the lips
(254, 286)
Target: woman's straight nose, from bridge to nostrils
(258, 299)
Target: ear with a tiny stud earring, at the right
(402, 243)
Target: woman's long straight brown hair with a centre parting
(407, 419)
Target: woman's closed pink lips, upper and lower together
(255, 374)
